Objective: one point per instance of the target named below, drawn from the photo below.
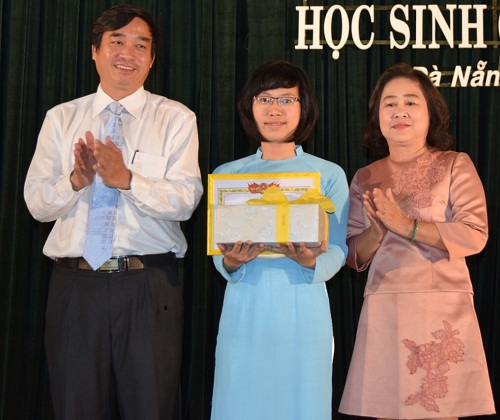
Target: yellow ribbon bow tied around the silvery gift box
(274, 196)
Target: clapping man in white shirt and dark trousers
(114, 333)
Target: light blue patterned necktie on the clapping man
(102, 213)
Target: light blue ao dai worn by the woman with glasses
(275, 341)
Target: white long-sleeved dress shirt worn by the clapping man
(161, 150)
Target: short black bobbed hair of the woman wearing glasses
(275, 75)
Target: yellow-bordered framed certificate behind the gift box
(237, 189)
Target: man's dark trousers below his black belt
(113, 342)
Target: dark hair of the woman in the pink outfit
(438, 136)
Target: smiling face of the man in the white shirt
(124, 58)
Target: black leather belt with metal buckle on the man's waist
(119, 264)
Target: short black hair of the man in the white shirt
(119, 16)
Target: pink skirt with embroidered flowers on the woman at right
(418, 355)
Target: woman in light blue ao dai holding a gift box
(275, 341)
